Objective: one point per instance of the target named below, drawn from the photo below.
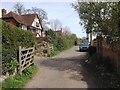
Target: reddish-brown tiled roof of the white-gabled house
(25, 19)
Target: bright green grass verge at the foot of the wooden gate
(19, 81)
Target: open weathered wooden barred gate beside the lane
(26, 58)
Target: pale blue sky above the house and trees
(61, 10)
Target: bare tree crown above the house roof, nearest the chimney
(19, 8)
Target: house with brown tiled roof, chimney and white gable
(29, 22)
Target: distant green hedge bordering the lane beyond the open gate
(60, 42)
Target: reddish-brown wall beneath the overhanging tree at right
(103, 49)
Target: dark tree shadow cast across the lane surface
(74, 65)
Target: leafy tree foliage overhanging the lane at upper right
(101, 18)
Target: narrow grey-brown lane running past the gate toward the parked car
(62, 71)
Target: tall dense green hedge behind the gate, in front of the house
(12, 38)
